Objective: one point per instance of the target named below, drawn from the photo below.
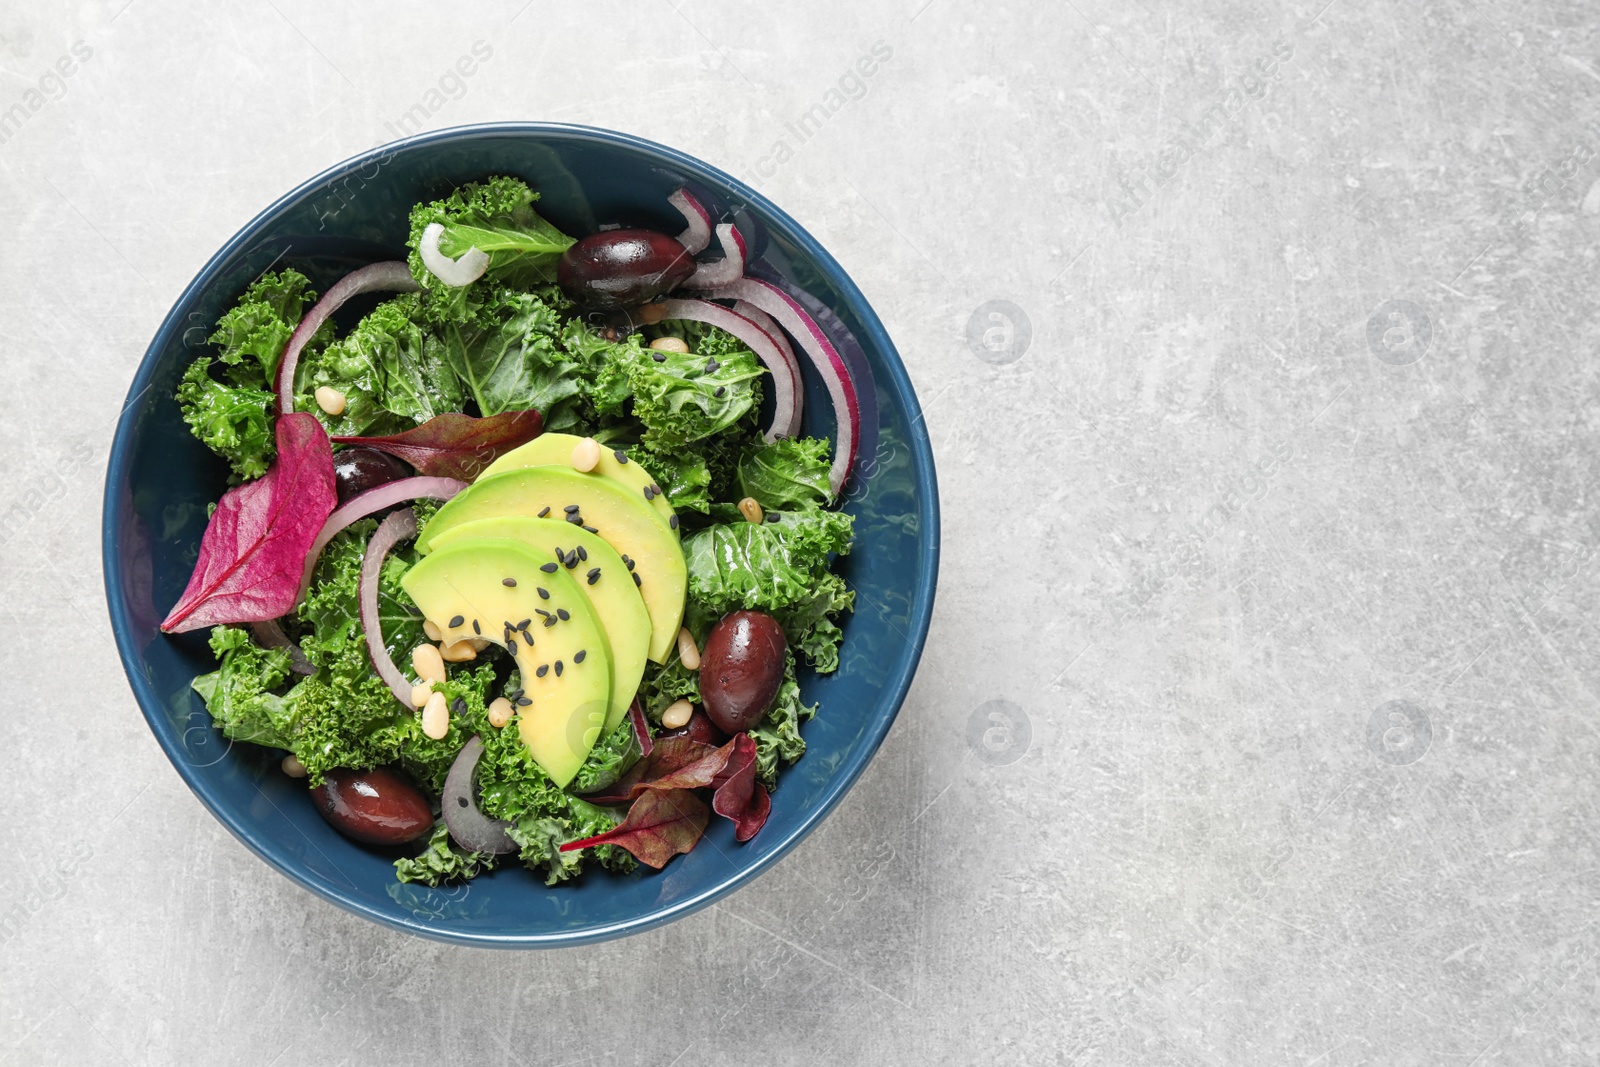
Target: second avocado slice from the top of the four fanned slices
(625, 521)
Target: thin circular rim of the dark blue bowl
(897, 684)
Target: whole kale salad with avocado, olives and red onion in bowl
(513, 567)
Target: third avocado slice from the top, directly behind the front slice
(601, 577)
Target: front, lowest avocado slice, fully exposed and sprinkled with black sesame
(562, 652)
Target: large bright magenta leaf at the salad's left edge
(255, 546)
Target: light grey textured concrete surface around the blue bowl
(1268, 500)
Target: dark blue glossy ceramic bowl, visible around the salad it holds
(161, 482)
